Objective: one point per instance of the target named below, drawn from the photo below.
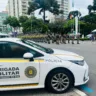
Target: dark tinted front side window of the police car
(13, 50)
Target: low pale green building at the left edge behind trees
(3, 27)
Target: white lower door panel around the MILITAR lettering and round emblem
(21, 78)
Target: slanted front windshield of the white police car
(31, 43)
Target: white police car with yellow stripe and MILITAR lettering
(27, 65)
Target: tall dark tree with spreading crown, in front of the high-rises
(45, 5)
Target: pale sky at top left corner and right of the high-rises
(81, 5)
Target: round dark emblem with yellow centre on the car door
(30, 72)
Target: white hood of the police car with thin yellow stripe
(66, 55)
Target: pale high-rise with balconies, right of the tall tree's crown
(64, 5)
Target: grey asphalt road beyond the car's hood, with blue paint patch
(88, 50)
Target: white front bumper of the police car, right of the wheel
(75, 69)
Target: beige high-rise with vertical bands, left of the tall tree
(17, 8)
